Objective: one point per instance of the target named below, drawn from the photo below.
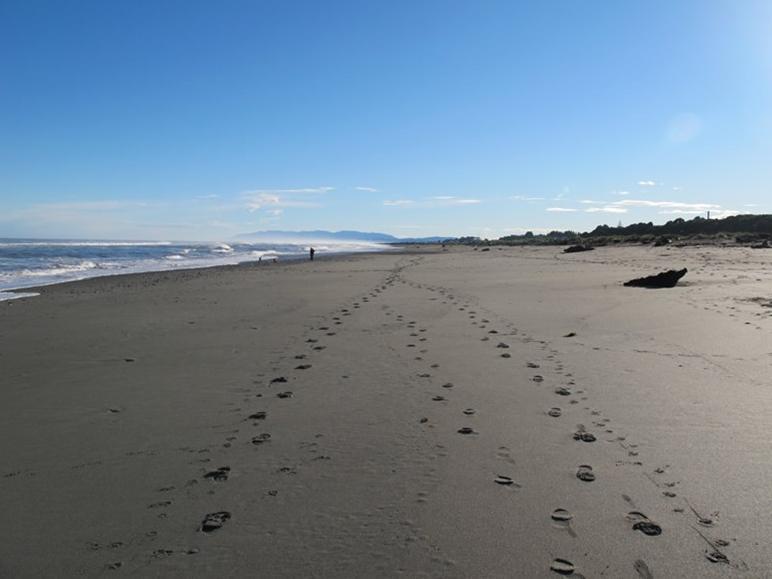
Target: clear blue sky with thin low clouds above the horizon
(201, 120)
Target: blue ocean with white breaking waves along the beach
(26, 263)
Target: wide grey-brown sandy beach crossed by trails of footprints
(119, 396)
